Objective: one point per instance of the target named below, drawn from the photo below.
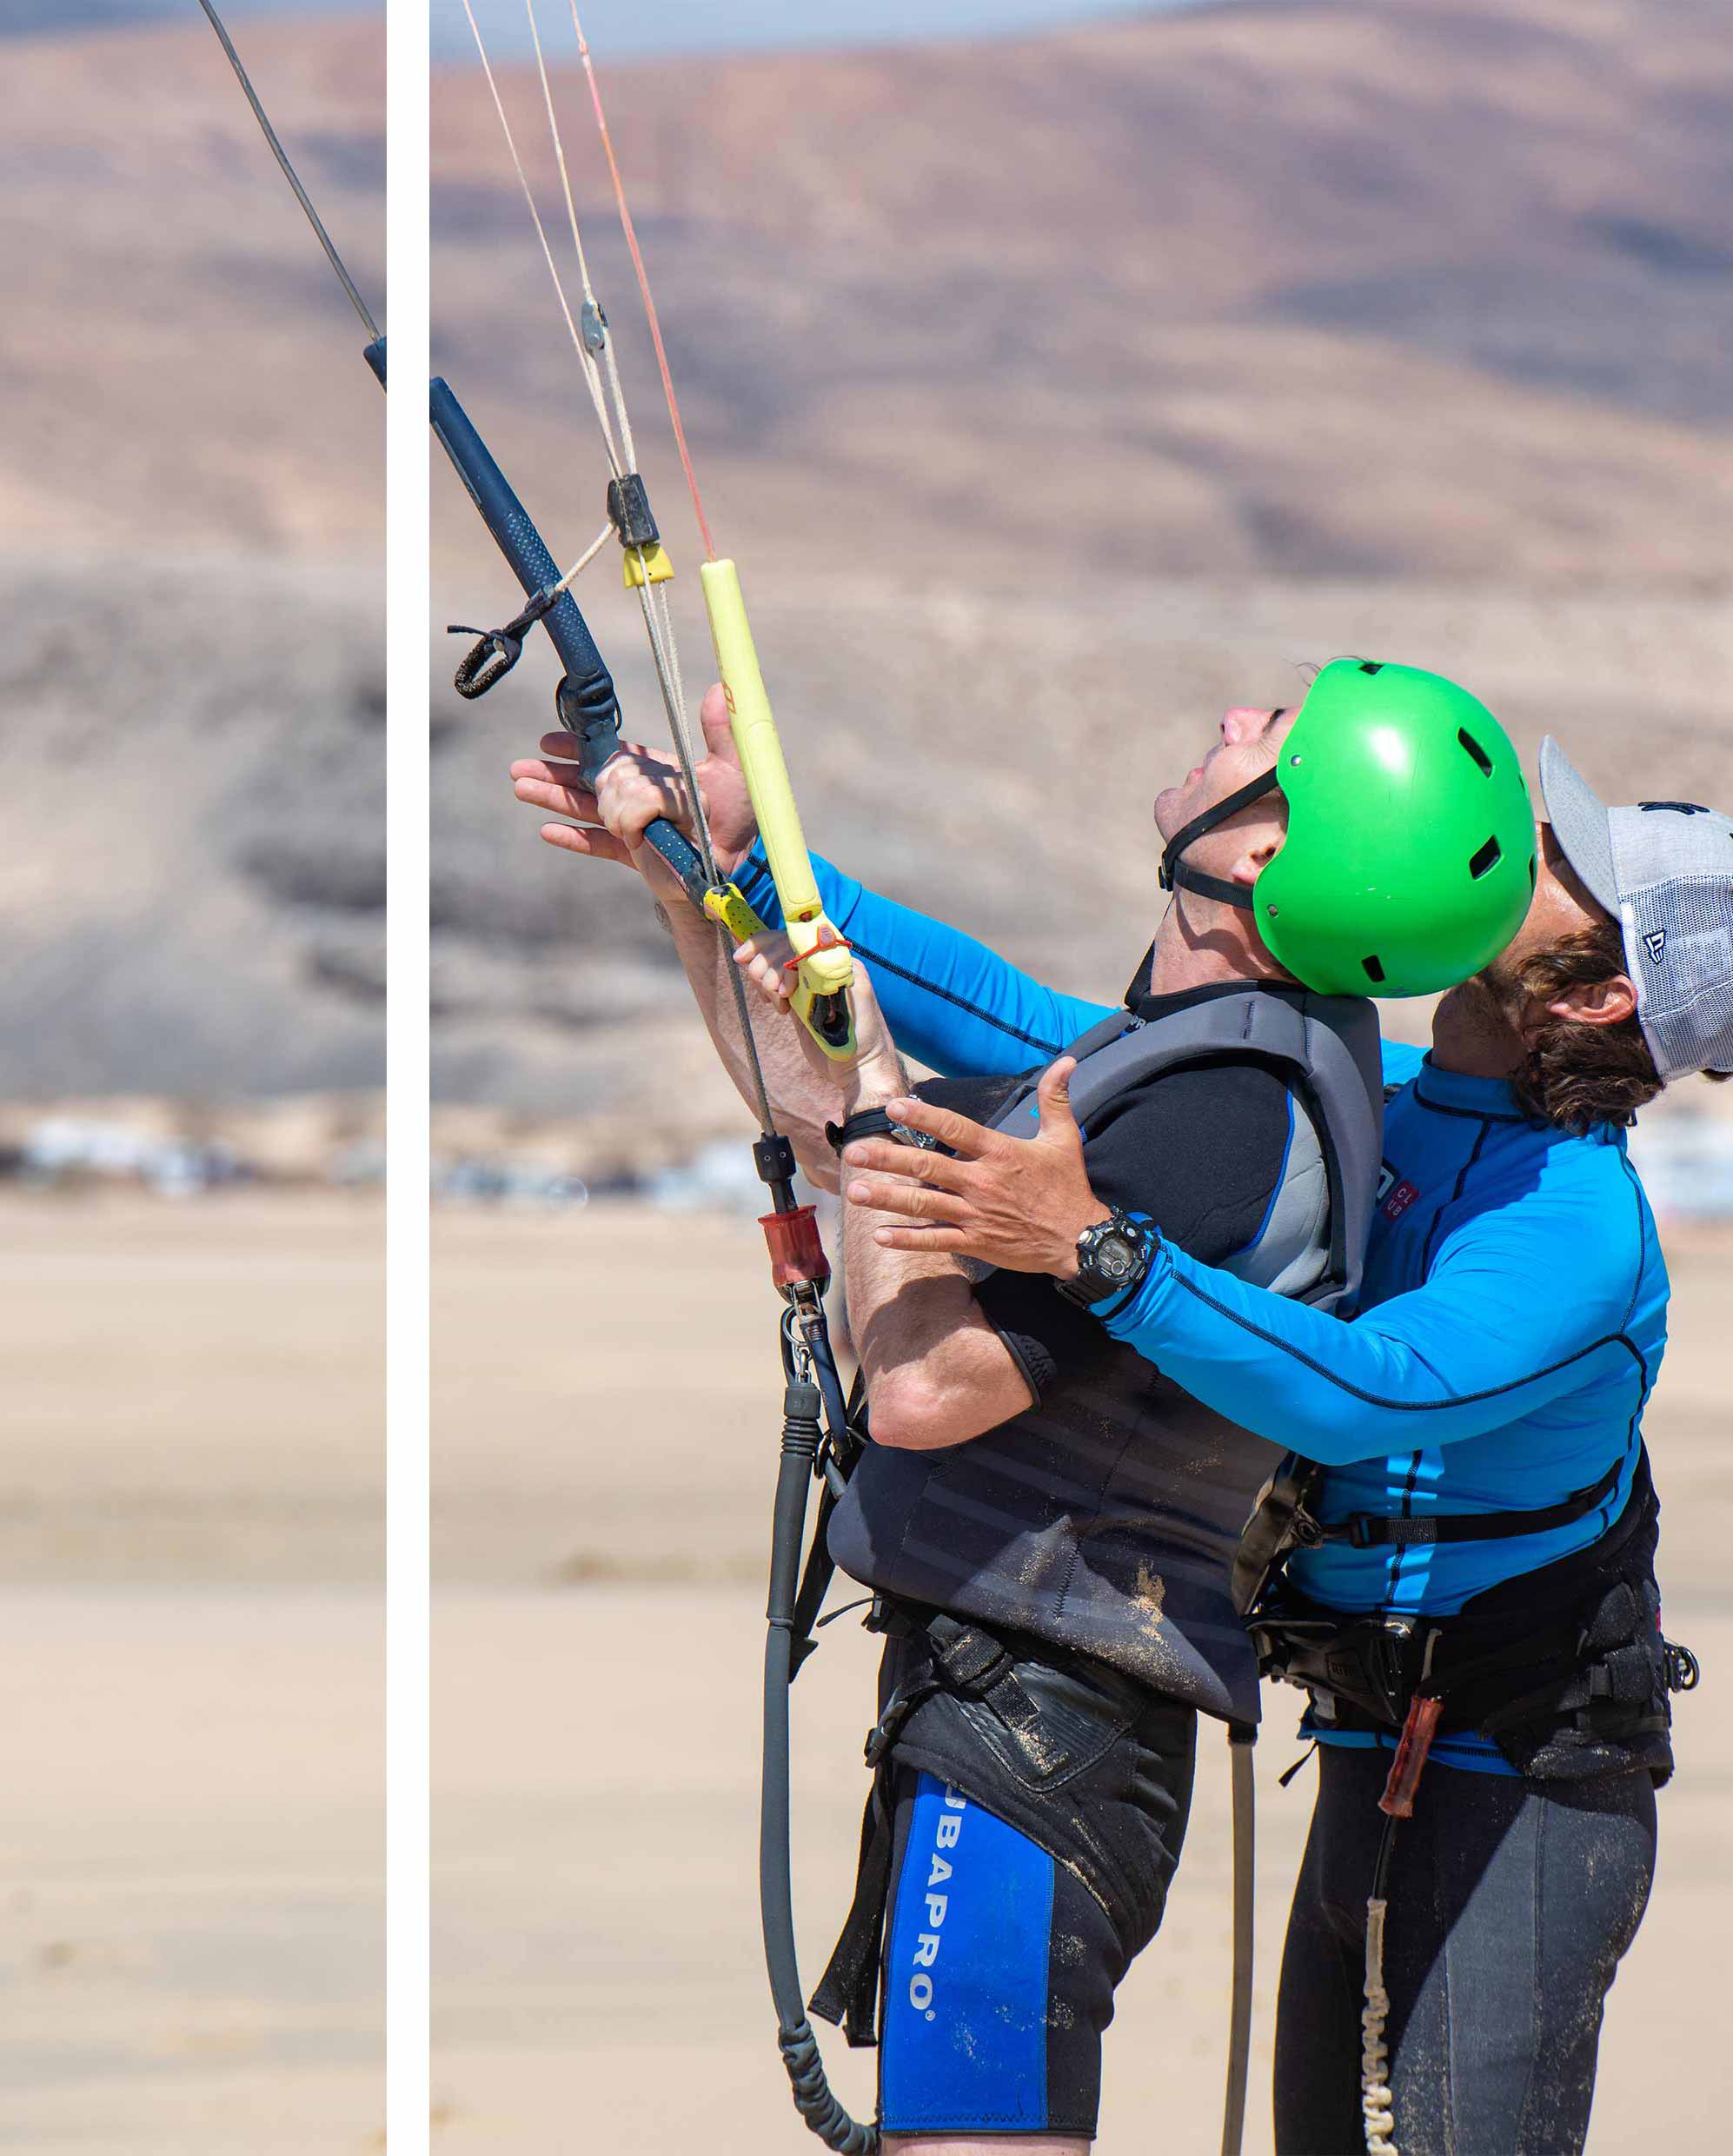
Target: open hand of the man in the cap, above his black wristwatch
(1018, 1204)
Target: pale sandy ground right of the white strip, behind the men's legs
(600, 1525)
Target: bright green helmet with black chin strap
(1411, 840)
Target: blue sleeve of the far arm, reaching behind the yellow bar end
(949, 1001)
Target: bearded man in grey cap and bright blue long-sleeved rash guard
(1484, 1528)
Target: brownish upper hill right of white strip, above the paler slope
(1299, 288)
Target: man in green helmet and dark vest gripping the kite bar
(1044, 1519)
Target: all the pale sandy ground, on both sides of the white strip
(191, 1696)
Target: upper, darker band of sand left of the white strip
(193, 1390)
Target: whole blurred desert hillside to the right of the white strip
(1055, 393)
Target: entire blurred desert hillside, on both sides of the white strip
(1051, 391)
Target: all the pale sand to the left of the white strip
(191, 1687)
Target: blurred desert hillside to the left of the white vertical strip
(191, 570)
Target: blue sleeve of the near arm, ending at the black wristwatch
(1495, 1333)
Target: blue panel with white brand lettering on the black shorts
(967, 1972)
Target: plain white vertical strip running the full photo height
(408, 2077)
